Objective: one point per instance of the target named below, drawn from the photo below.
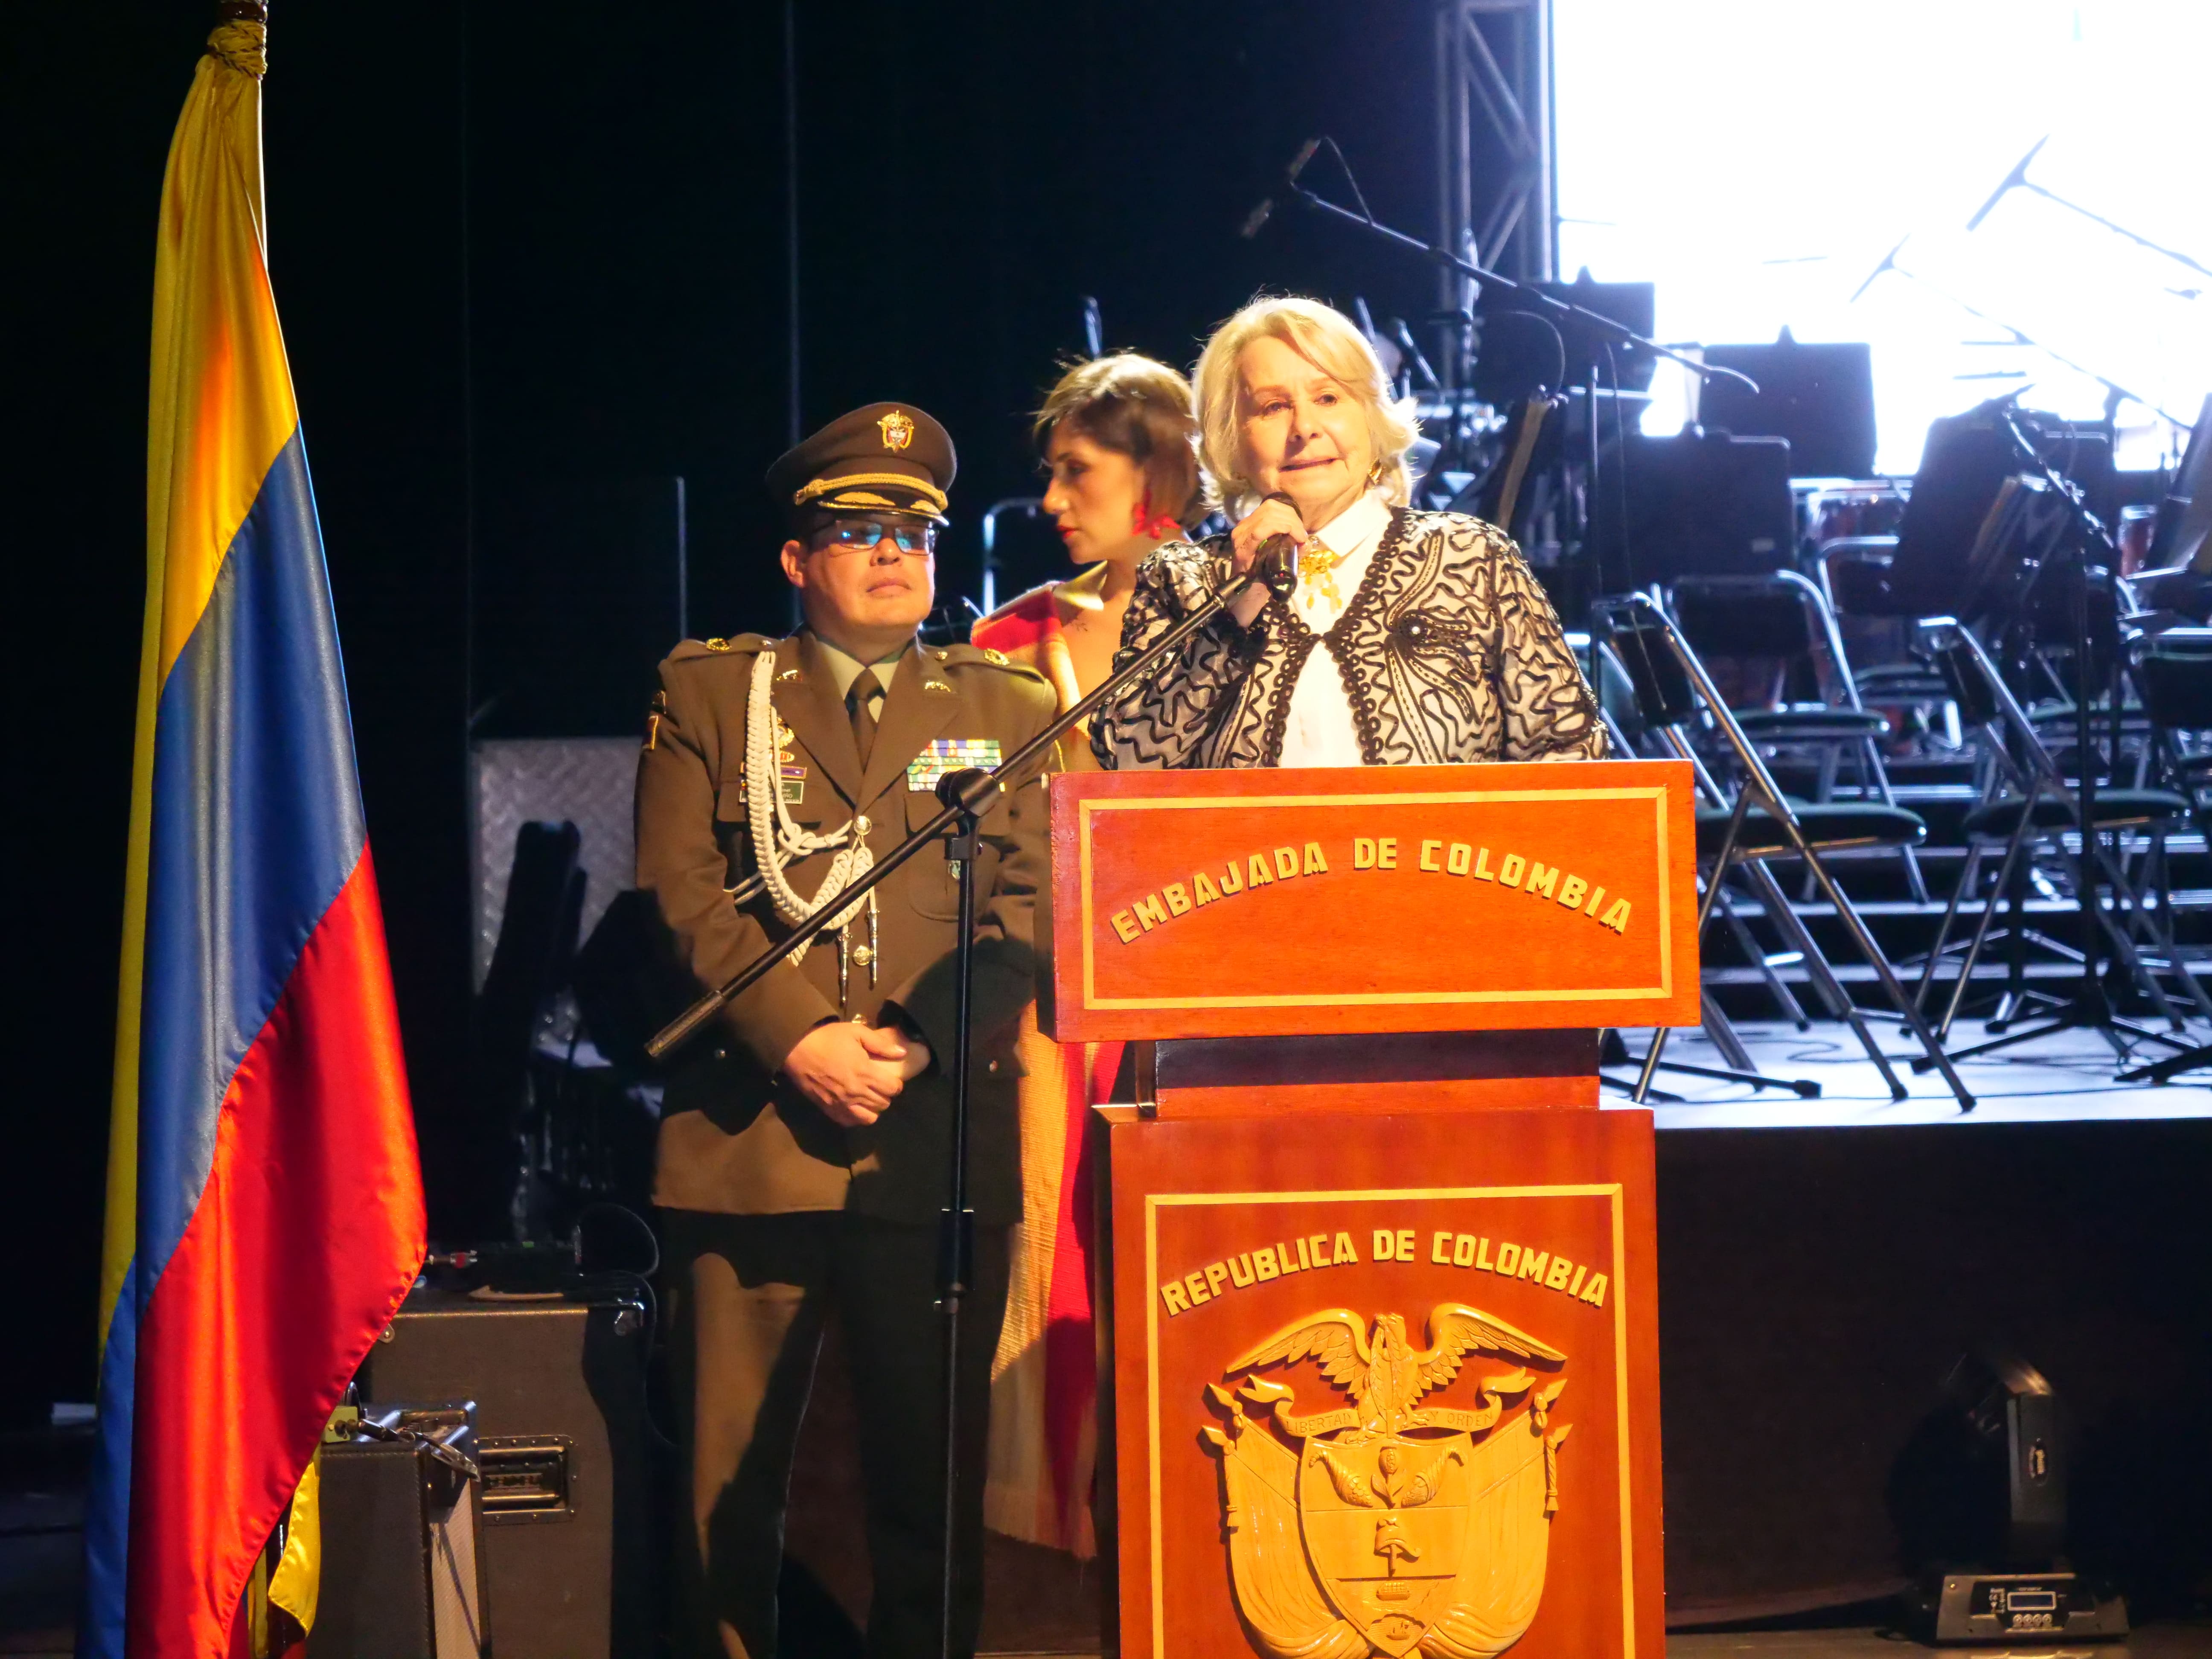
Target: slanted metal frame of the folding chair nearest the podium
(1762, 791)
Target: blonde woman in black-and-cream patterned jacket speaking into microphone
(1412, 638)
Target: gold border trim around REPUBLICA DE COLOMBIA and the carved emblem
(1156, 1202)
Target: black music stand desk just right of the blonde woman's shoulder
(1700, 503)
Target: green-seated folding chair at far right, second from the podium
(2032, 808)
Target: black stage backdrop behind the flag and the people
(541, 247)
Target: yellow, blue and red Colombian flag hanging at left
(264, 1200)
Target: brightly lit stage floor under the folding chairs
(2054, 1081)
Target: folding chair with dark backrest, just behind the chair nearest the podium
(1786, 616)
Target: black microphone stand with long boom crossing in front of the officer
(966, 800)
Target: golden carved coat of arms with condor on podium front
(1390, 1527)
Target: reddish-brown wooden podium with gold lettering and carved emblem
(1379, 1348)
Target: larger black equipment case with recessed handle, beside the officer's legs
(565, 1446)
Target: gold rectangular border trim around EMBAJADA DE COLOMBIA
(1379, 999)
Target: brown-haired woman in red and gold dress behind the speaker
(1120, 441)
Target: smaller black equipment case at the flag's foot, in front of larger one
(404, 1572)
